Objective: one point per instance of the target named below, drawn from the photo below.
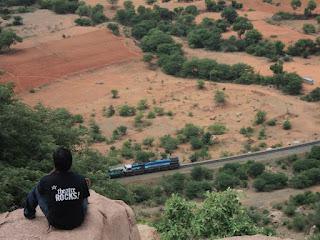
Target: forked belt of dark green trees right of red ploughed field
(153, 28)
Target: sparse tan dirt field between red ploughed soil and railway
(91, 92)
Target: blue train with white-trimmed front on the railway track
(142, 168)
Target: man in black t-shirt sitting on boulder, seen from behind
(62, 195)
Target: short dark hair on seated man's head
(62, 158)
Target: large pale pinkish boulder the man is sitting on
(106, 220)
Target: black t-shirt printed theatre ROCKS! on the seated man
(64, 193)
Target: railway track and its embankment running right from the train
(272, 154)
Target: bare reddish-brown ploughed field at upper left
(33, 67)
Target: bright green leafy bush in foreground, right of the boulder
(184, 220)
